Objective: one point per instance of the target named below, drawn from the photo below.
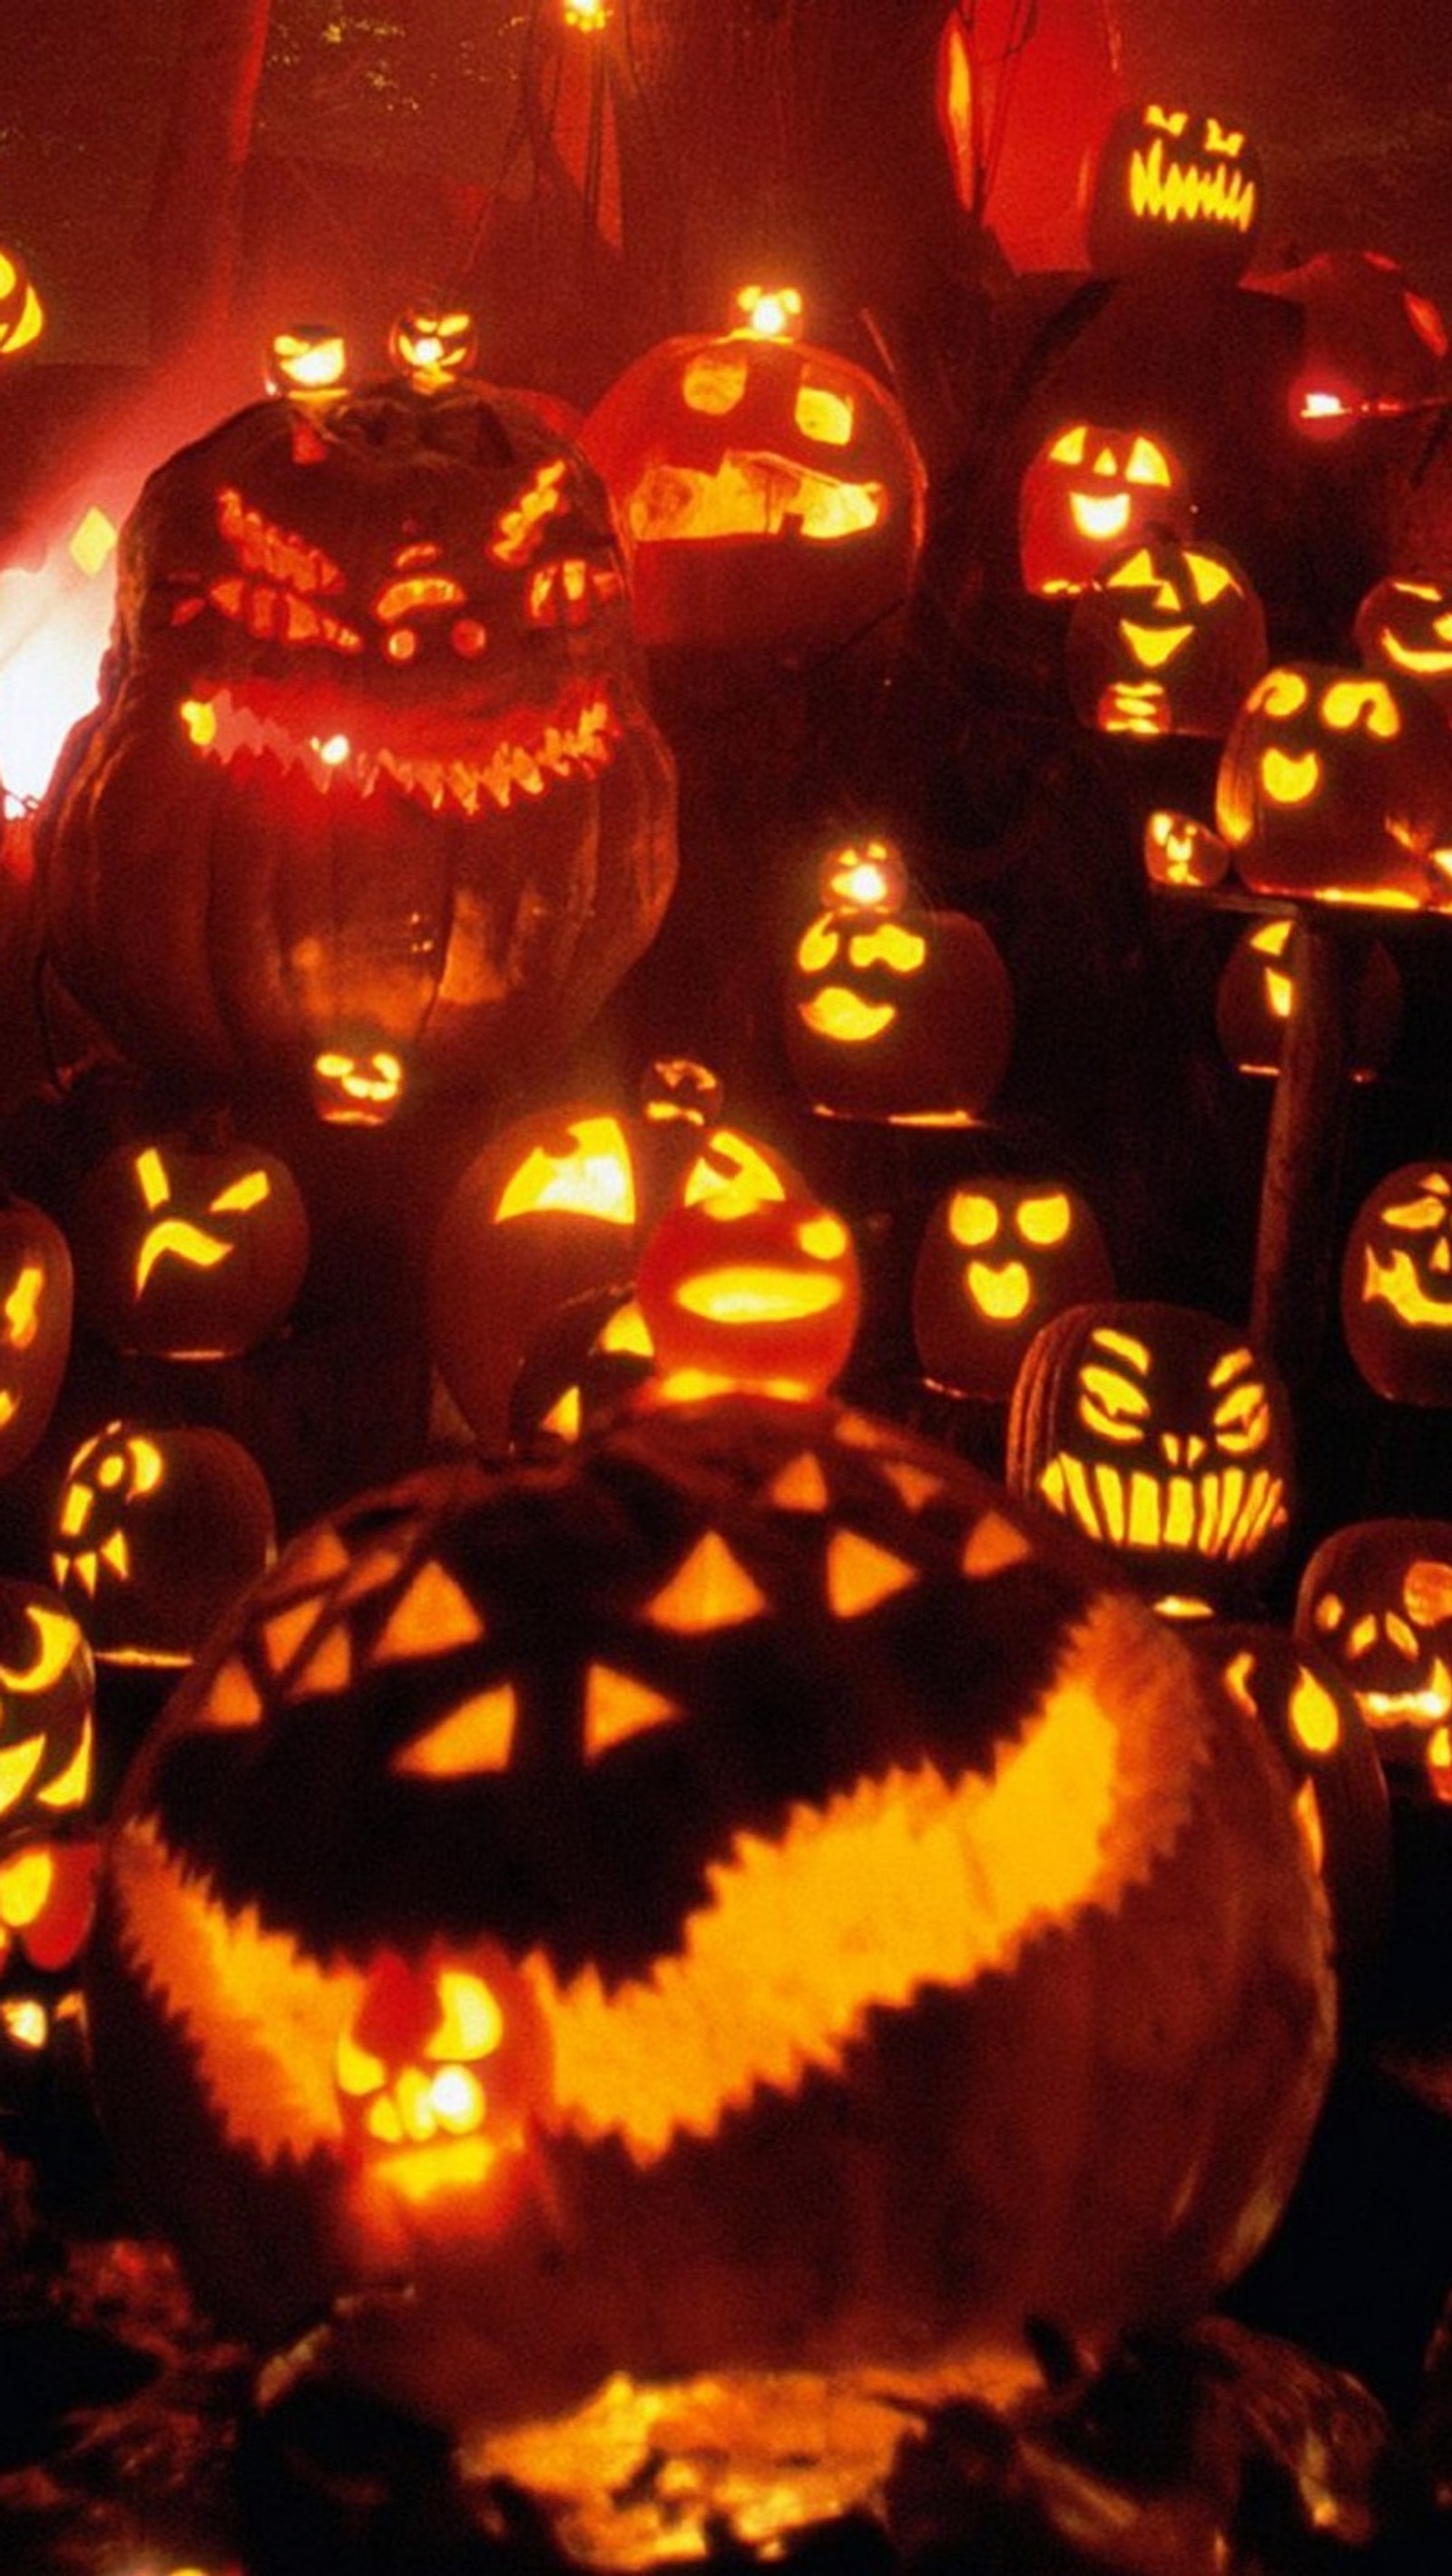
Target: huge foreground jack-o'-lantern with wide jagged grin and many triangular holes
(578, 1735)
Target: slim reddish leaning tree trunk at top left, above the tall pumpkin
(197, 194)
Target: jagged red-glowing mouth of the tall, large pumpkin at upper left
(498, 759)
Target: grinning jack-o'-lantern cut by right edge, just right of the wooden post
(1397, 1287)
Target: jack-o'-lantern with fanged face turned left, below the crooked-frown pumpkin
(156, 1534)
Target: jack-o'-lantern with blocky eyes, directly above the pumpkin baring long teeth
(998, 1258)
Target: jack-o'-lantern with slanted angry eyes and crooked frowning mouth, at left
(189, 1248)
